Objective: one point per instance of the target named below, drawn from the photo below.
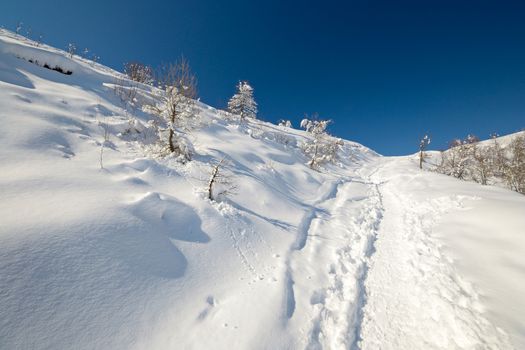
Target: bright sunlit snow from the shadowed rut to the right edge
(433, 291)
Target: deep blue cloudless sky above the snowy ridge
(385, 71)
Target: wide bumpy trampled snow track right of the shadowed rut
(415, 298)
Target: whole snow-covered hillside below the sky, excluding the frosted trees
(368, 254)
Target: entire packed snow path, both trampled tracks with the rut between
(369, 275)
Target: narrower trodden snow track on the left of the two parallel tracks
(341, 232)
